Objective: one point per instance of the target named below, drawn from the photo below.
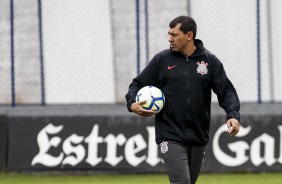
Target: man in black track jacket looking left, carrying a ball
(186, 73)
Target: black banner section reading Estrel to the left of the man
(99, 143)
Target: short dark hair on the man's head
(187, 24)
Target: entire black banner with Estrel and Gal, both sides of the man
(127, 144)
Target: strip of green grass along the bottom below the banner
(12, 178)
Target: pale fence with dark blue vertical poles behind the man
(88, 51)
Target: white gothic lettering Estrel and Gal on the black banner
(261, 149)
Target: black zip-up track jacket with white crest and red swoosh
(186, 84)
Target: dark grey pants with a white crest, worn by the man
(183, 163)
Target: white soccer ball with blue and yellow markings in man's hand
(154, 97)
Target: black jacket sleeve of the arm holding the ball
(145, 78)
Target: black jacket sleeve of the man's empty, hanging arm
(225, 91)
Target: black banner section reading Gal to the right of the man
(257, 147)
